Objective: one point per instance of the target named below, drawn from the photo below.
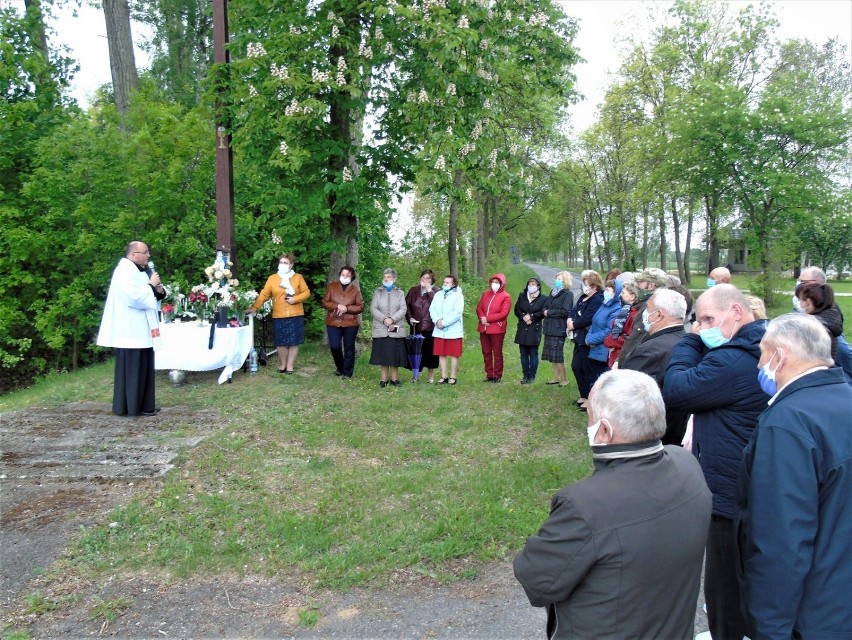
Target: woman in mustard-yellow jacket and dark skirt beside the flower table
(288, 291)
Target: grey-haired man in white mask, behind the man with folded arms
(663, 318)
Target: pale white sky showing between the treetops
(602, 22)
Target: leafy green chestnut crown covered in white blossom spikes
(336, 105)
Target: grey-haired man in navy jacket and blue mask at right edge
(794, 504)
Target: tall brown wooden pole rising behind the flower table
(224, 154)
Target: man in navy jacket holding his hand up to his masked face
(712, 374)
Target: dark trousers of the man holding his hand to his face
(721, 586)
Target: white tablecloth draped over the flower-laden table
(185, 347)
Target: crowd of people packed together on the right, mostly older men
(726, 443)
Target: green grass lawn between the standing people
(343, 483)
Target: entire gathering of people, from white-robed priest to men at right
(720, 439)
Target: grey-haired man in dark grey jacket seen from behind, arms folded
(620, 554)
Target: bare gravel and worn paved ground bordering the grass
(67, 468)
